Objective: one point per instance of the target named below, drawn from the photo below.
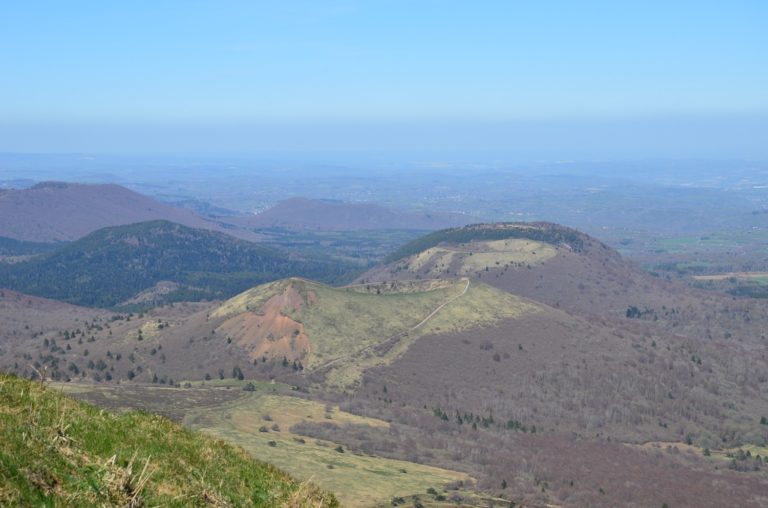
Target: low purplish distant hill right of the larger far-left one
(303, 213)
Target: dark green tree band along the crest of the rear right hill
(538, 231)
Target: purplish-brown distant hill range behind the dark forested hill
(60, 212)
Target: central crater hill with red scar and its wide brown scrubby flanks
(419, 338)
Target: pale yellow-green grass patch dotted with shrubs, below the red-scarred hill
(358, 480)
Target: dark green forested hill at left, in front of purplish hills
(112, 265)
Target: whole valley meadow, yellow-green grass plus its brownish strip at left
(261, 422)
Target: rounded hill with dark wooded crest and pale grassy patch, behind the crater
(546, 262)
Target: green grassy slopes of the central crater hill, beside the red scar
(347, 326)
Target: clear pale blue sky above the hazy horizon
(540, 78)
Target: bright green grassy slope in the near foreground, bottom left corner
(55, 451)
